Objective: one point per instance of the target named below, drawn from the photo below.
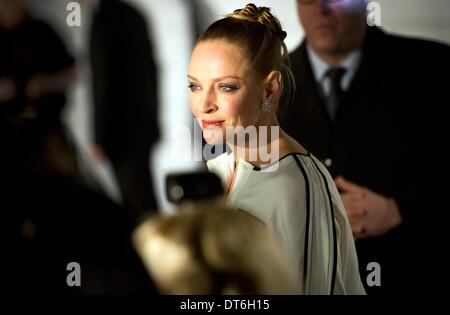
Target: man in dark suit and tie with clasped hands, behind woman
(363, 106)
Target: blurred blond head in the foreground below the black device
(210, 249)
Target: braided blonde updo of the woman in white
(260, 36)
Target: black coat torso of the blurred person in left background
(124, 80)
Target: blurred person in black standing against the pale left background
(126, 99)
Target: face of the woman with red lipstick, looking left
(225, 92)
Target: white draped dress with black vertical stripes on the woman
(298, 201)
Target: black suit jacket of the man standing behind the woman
(380, 138)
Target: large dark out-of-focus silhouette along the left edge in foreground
(49, 217)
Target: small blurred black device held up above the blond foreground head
(193, 186)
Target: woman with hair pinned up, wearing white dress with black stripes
(237, 75)
